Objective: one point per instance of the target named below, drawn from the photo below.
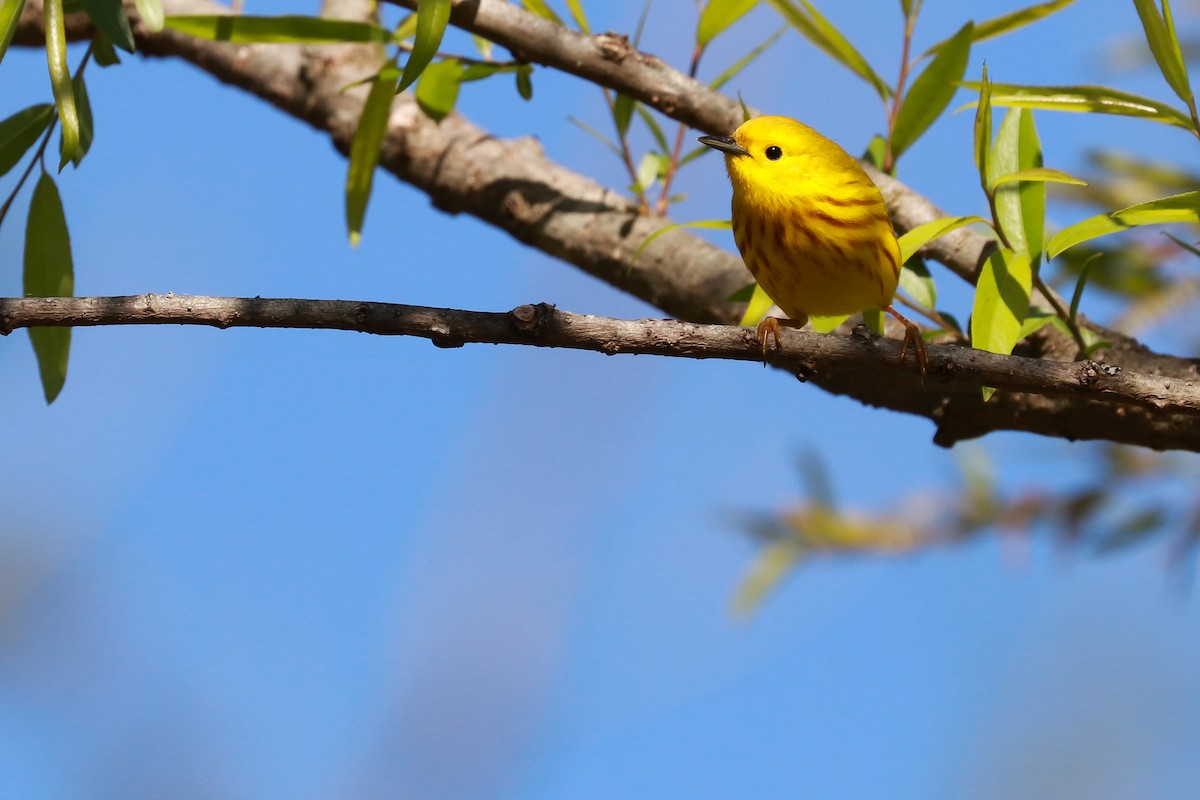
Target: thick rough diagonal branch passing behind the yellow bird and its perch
(512, 185)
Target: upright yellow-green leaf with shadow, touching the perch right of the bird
(1001, 303)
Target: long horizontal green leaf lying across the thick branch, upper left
(279, 31)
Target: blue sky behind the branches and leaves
(279, 564)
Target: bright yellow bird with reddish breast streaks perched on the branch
(811, 225)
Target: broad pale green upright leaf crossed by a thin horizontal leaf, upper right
(1021, 207)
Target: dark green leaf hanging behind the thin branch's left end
(49, 274)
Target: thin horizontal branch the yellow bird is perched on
(1111, 404)
